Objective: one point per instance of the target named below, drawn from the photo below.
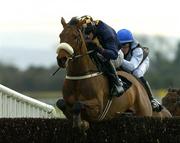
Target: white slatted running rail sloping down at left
(16, 105)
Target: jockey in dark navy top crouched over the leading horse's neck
(107, 49)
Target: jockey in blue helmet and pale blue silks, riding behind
(136, 61)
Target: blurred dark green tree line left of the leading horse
(32, 79)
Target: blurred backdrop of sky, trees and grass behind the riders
(29, 35)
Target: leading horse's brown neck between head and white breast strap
(81, 66)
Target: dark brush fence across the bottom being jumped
(121, 130)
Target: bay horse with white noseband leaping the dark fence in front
(86, 89)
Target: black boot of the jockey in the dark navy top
(115, 82)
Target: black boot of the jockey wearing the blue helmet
(156, 106)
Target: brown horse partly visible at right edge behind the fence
(172, 101)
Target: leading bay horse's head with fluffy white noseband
(71, 41)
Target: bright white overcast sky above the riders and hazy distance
(35, 24)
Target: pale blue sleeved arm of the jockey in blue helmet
(137, 57)
